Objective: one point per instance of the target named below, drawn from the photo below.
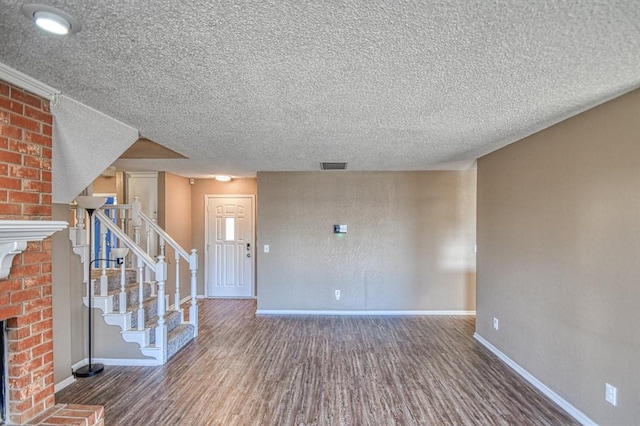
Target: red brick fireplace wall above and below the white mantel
(25, 296)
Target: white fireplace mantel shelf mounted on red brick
(14, 235)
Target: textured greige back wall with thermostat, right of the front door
(409, 245)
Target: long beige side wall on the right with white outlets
(558, 257)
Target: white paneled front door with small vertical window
(229, 245)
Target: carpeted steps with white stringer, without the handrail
(179, 333)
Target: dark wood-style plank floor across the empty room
(245, 369)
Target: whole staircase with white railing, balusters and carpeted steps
(134, 298)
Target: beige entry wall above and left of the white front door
(199, 189)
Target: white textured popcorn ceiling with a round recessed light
(240, 87)
